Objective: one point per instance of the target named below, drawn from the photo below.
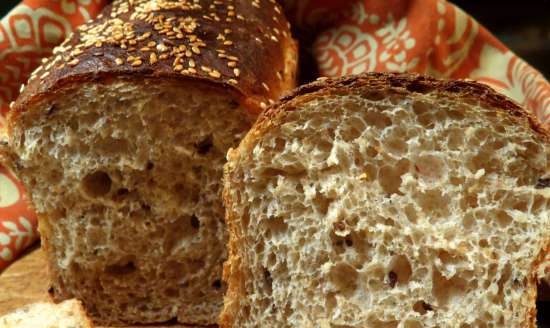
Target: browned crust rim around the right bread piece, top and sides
(467, 91)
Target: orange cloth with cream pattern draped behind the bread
(426, 36)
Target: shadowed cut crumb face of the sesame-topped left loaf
(126, 177)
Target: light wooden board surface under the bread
(25, 282)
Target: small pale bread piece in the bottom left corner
(67, 314)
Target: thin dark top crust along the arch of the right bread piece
(467, 90)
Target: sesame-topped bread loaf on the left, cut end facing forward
(120, 139)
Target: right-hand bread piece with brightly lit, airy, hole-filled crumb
(387, 201)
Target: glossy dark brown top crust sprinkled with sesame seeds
(233, 44)
